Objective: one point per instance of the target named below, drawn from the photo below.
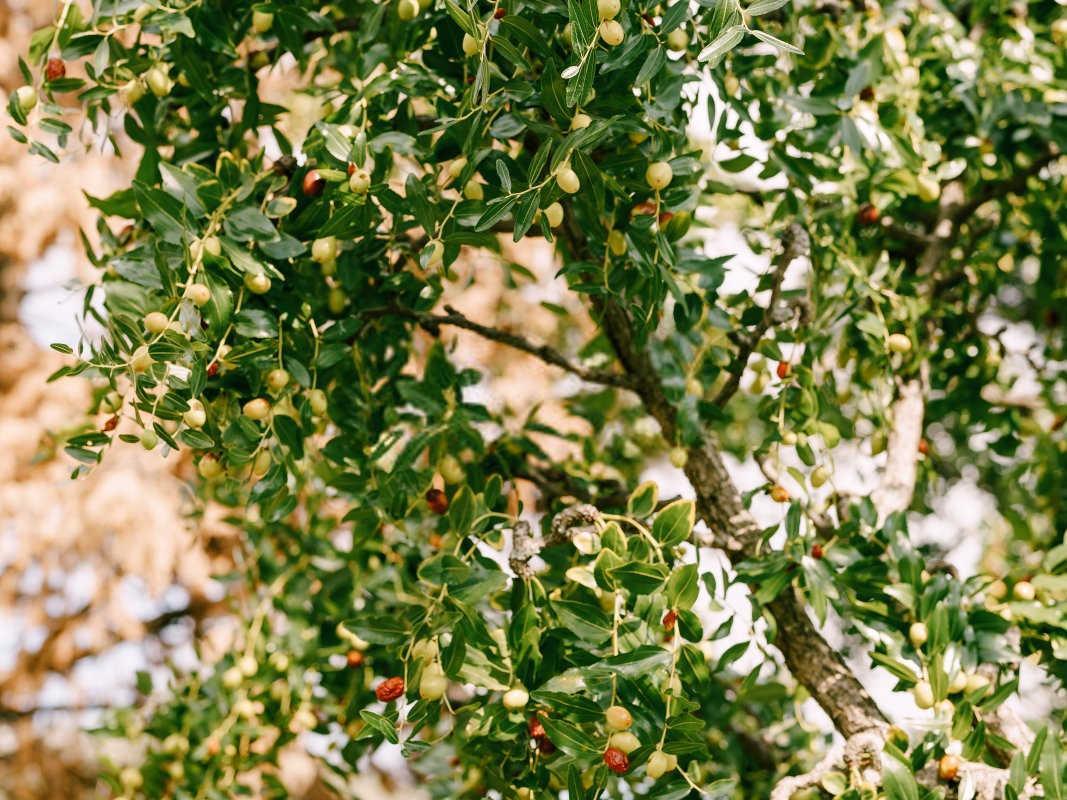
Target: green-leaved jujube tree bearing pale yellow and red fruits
(268, 302)
